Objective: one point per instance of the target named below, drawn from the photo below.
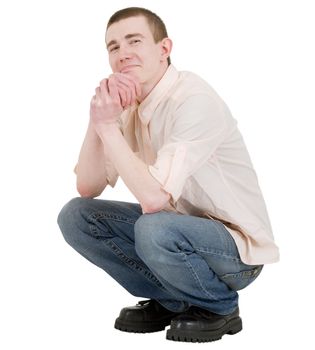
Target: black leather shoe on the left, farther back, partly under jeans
(147, 316)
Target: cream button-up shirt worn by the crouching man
(188, 138)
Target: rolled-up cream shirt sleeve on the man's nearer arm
(199, 127)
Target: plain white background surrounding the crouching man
(258, 55)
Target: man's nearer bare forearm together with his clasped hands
(106, 106)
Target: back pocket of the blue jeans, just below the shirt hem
(242, 279)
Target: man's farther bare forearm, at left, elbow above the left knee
(90, 169)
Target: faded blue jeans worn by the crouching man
(178, 260)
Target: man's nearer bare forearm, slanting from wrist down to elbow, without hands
(133, 171)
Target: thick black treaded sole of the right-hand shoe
(232, 327)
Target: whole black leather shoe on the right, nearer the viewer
(199, 325)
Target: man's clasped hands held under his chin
(114, 94)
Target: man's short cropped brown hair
(157, 26)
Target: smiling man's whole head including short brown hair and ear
(137, 43)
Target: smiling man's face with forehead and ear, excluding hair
(131, 49)
